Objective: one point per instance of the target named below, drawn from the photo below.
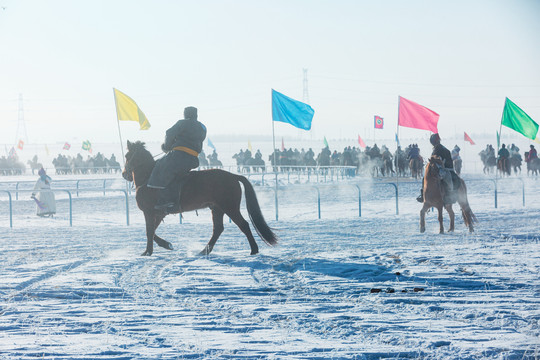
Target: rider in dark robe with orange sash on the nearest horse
(183, 143)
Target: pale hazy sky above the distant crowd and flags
(459, 58)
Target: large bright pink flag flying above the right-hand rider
(416, 116)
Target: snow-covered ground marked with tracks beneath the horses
(84, 292)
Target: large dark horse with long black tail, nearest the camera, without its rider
(215, 189)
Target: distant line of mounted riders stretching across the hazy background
(373, 161)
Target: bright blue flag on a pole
(290, 111)
